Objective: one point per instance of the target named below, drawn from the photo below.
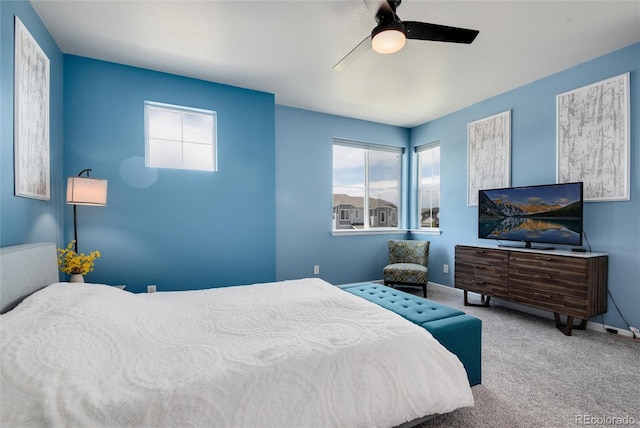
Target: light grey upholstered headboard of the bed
(25, 269)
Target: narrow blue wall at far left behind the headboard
(25, 220)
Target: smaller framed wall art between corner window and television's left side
(489, 154)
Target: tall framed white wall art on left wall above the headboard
(31, 116)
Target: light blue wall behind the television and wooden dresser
(611, 227)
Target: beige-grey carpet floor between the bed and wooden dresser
(534, 376)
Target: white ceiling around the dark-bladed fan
(288, 48)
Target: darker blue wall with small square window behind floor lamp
(177, 229)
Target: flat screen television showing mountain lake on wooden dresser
(546, 214)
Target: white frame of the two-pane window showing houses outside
(367, 228)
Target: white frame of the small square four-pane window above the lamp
(183, 111)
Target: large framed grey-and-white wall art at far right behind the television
(593, 139)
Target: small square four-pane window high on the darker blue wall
(180, 137)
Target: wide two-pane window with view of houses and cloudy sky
(366, 179)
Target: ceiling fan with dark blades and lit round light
(391, 33)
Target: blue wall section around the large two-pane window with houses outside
(304, 205)
